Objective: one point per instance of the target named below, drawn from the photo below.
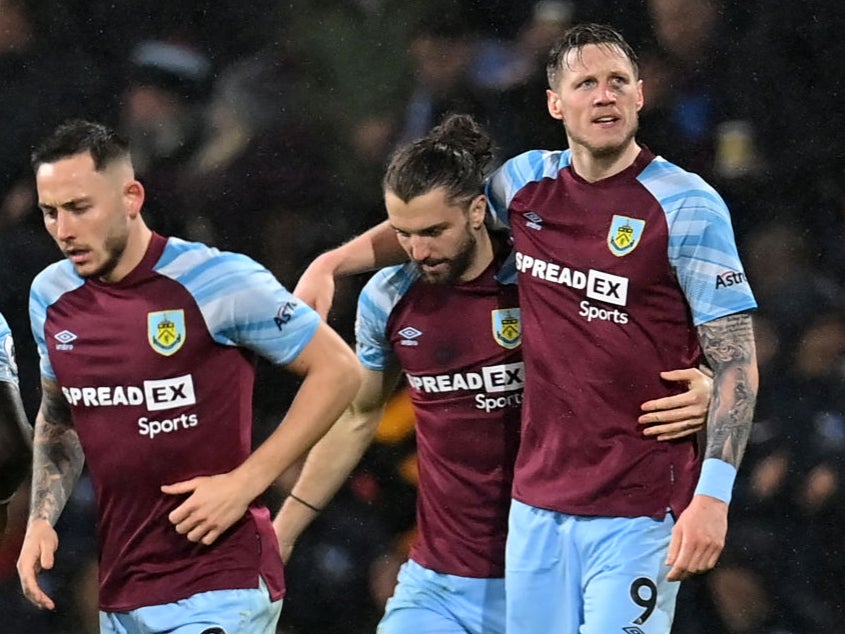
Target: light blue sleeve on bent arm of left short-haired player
(241, 301)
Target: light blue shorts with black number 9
(572, 574)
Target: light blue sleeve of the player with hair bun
(377, 300)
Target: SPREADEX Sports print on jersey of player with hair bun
(501, 384)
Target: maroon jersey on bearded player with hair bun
(459, 346)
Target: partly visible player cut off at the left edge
(15, 431)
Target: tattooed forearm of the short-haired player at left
(58, 457)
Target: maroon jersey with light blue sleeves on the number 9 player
(614, 276)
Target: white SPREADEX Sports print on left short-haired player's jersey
(154, 395)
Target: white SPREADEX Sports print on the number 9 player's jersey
(597, 285)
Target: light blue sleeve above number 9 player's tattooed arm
(702, 248)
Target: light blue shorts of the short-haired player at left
(246, 611)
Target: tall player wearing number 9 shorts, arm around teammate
(626, 264)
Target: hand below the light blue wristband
(698, 538)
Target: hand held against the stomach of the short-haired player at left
(214, 504)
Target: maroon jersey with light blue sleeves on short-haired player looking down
(158, 371)
